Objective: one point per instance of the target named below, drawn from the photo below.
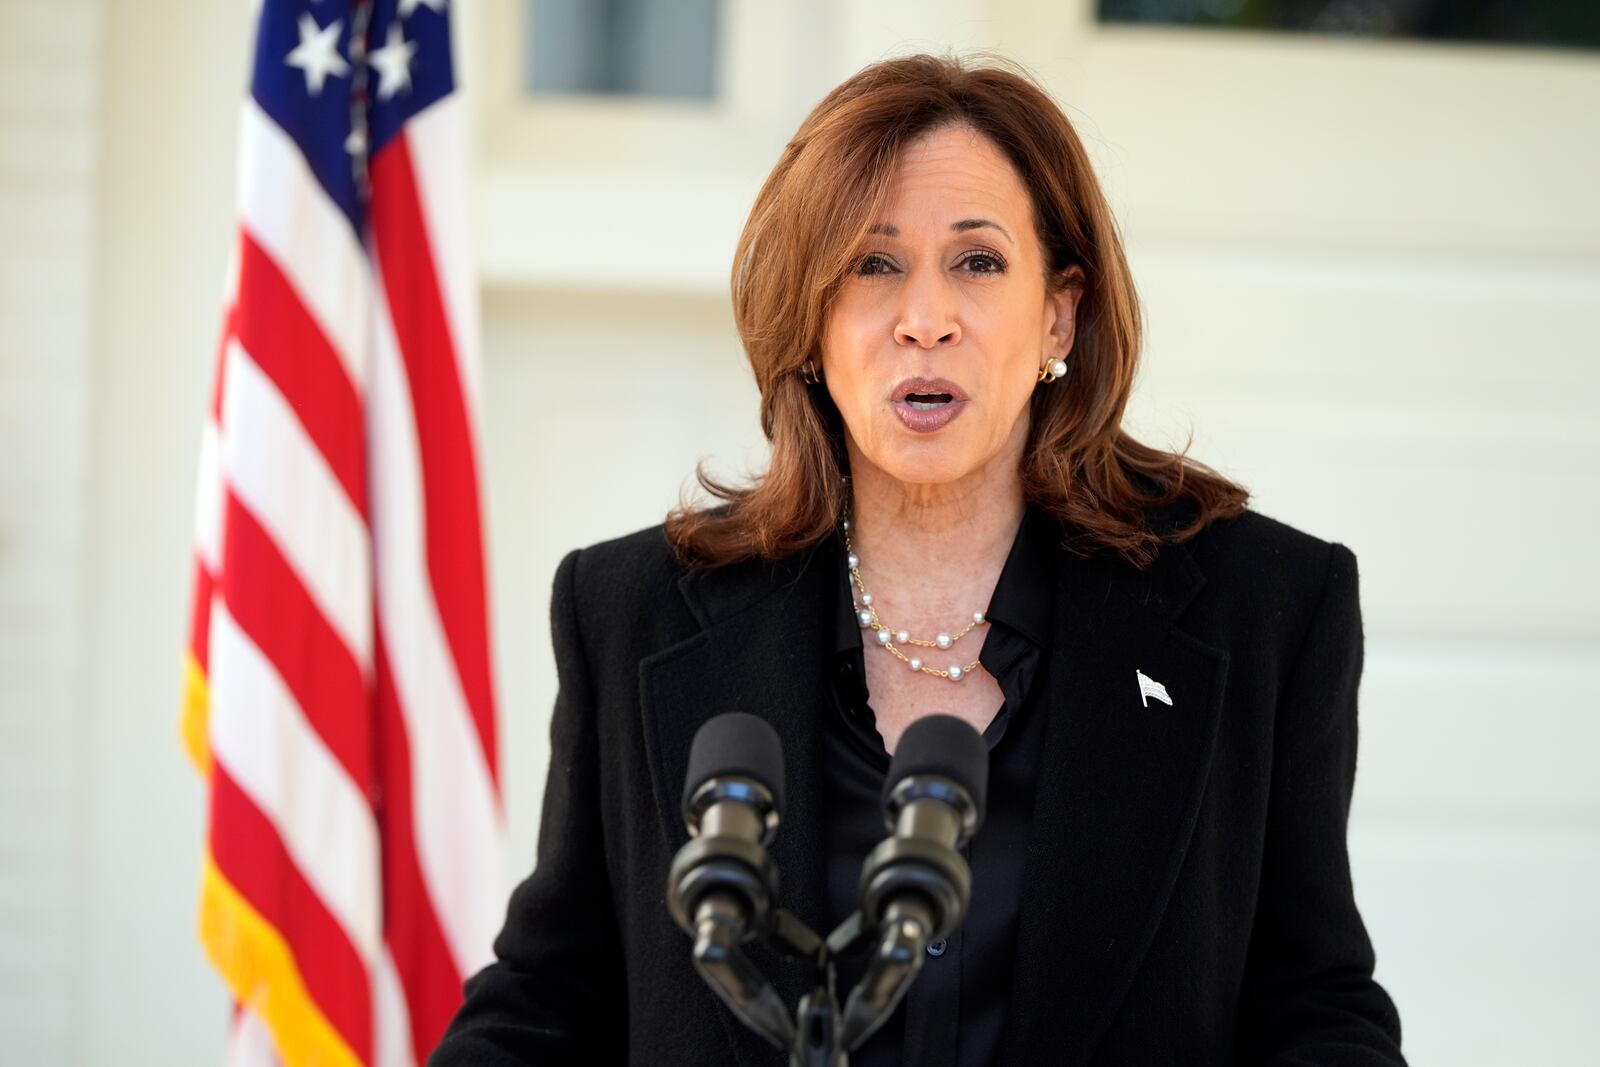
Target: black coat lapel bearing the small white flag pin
(1119, 791)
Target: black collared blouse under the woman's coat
(956, 1010)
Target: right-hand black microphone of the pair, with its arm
(914, 885)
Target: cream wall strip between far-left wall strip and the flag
(172, 76)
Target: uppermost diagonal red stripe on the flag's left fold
(290, 348)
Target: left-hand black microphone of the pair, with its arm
(722, 884)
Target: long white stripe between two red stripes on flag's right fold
(457, 818)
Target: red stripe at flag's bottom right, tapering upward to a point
(428, 973)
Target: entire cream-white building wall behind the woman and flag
(1370, 276)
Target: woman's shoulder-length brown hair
(804, 234)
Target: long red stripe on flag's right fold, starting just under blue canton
(450, 479)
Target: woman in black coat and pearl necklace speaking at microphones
(942, 322)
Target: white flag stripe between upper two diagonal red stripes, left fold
(281, 476)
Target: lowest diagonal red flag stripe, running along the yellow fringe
(250, 855)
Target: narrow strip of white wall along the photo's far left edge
(49, 126)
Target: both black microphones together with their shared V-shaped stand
(722, 889)
